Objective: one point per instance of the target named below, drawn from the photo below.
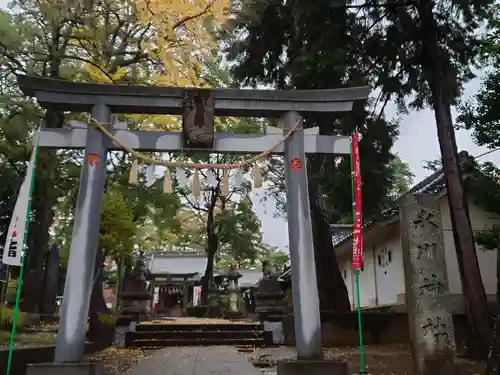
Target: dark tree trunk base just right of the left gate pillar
(99, 332)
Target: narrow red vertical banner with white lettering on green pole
(357, 238)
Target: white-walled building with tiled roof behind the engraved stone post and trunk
(382, 278)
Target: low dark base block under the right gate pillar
(312, 367)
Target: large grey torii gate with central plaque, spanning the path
(198, 106)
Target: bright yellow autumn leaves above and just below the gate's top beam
(154, 42)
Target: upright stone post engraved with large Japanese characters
(428, 304)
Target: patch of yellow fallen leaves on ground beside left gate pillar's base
(118, 360)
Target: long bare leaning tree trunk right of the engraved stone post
(443, 90)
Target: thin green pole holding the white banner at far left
(21, 272)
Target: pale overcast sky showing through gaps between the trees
(417, 142)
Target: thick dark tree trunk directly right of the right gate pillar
(332, 291)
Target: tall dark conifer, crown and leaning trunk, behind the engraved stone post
(424, 52)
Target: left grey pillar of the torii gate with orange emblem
(71, 334)
